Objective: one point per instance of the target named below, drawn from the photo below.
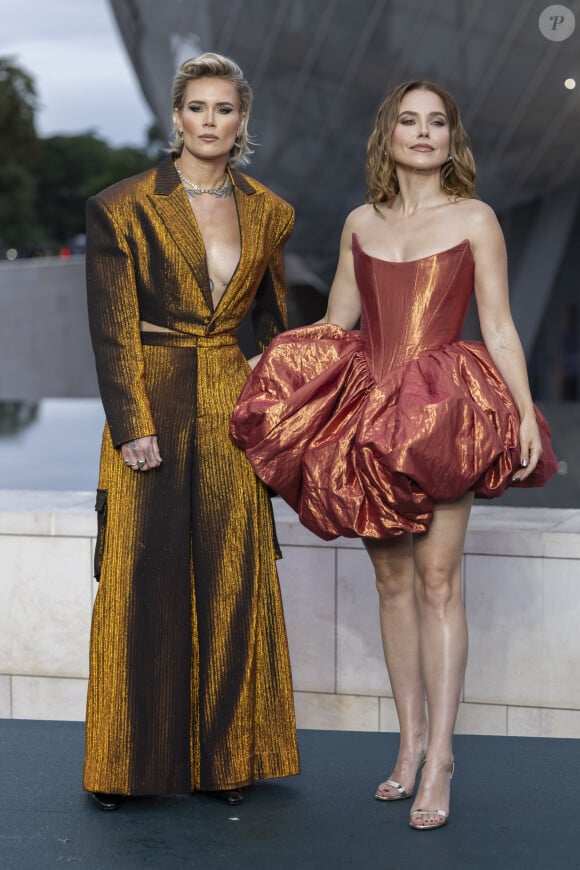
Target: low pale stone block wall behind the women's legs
(521, 591)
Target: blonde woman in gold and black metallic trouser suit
(190, 685)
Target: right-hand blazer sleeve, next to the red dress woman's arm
(269, 315)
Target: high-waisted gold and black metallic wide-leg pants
(190, 685)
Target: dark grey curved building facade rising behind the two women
(319, 69)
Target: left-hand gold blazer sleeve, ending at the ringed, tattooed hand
(114, 325)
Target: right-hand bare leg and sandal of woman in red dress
(443, 645)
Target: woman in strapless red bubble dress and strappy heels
(388, 433)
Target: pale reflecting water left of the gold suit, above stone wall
(50, 444)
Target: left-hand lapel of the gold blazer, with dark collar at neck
(170, 201)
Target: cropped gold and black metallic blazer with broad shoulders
(146, 261)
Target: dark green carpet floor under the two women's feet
(513, 806)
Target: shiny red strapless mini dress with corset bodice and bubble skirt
(363, 432)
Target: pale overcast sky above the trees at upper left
(83, 76)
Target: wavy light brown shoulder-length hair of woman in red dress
(457, 174)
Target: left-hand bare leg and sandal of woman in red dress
(393, 563)
